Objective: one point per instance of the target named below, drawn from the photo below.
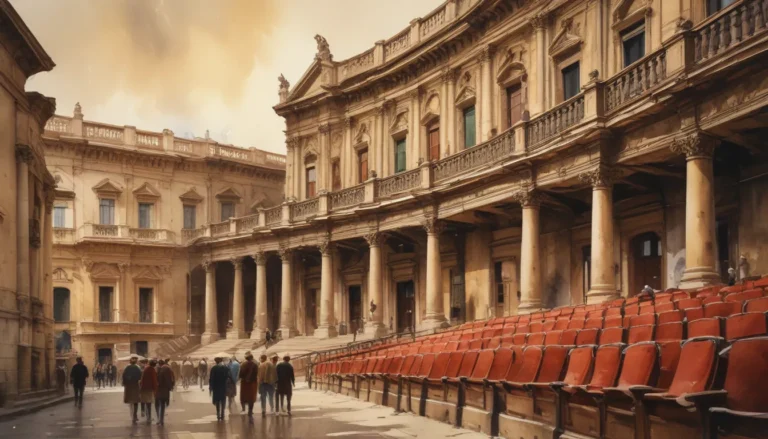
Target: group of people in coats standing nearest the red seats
(263, 378)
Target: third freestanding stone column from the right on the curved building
(530, 260)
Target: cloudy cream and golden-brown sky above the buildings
(197, 65)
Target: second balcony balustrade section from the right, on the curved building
(636, 80)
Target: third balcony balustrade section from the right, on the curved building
(554, 122)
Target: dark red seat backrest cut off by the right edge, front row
(746, 388)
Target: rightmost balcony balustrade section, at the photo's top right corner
(729, 28)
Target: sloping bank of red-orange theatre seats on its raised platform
(681, 364)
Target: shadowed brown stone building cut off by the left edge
(26, 347)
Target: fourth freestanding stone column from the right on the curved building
(435, 316)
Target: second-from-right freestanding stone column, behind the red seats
(603, 278)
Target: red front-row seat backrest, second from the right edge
(697, 366)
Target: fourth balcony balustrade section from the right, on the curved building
(472, 158)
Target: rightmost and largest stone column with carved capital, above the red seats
(700, 243)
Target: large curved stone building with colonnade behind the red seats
(497, 157)
